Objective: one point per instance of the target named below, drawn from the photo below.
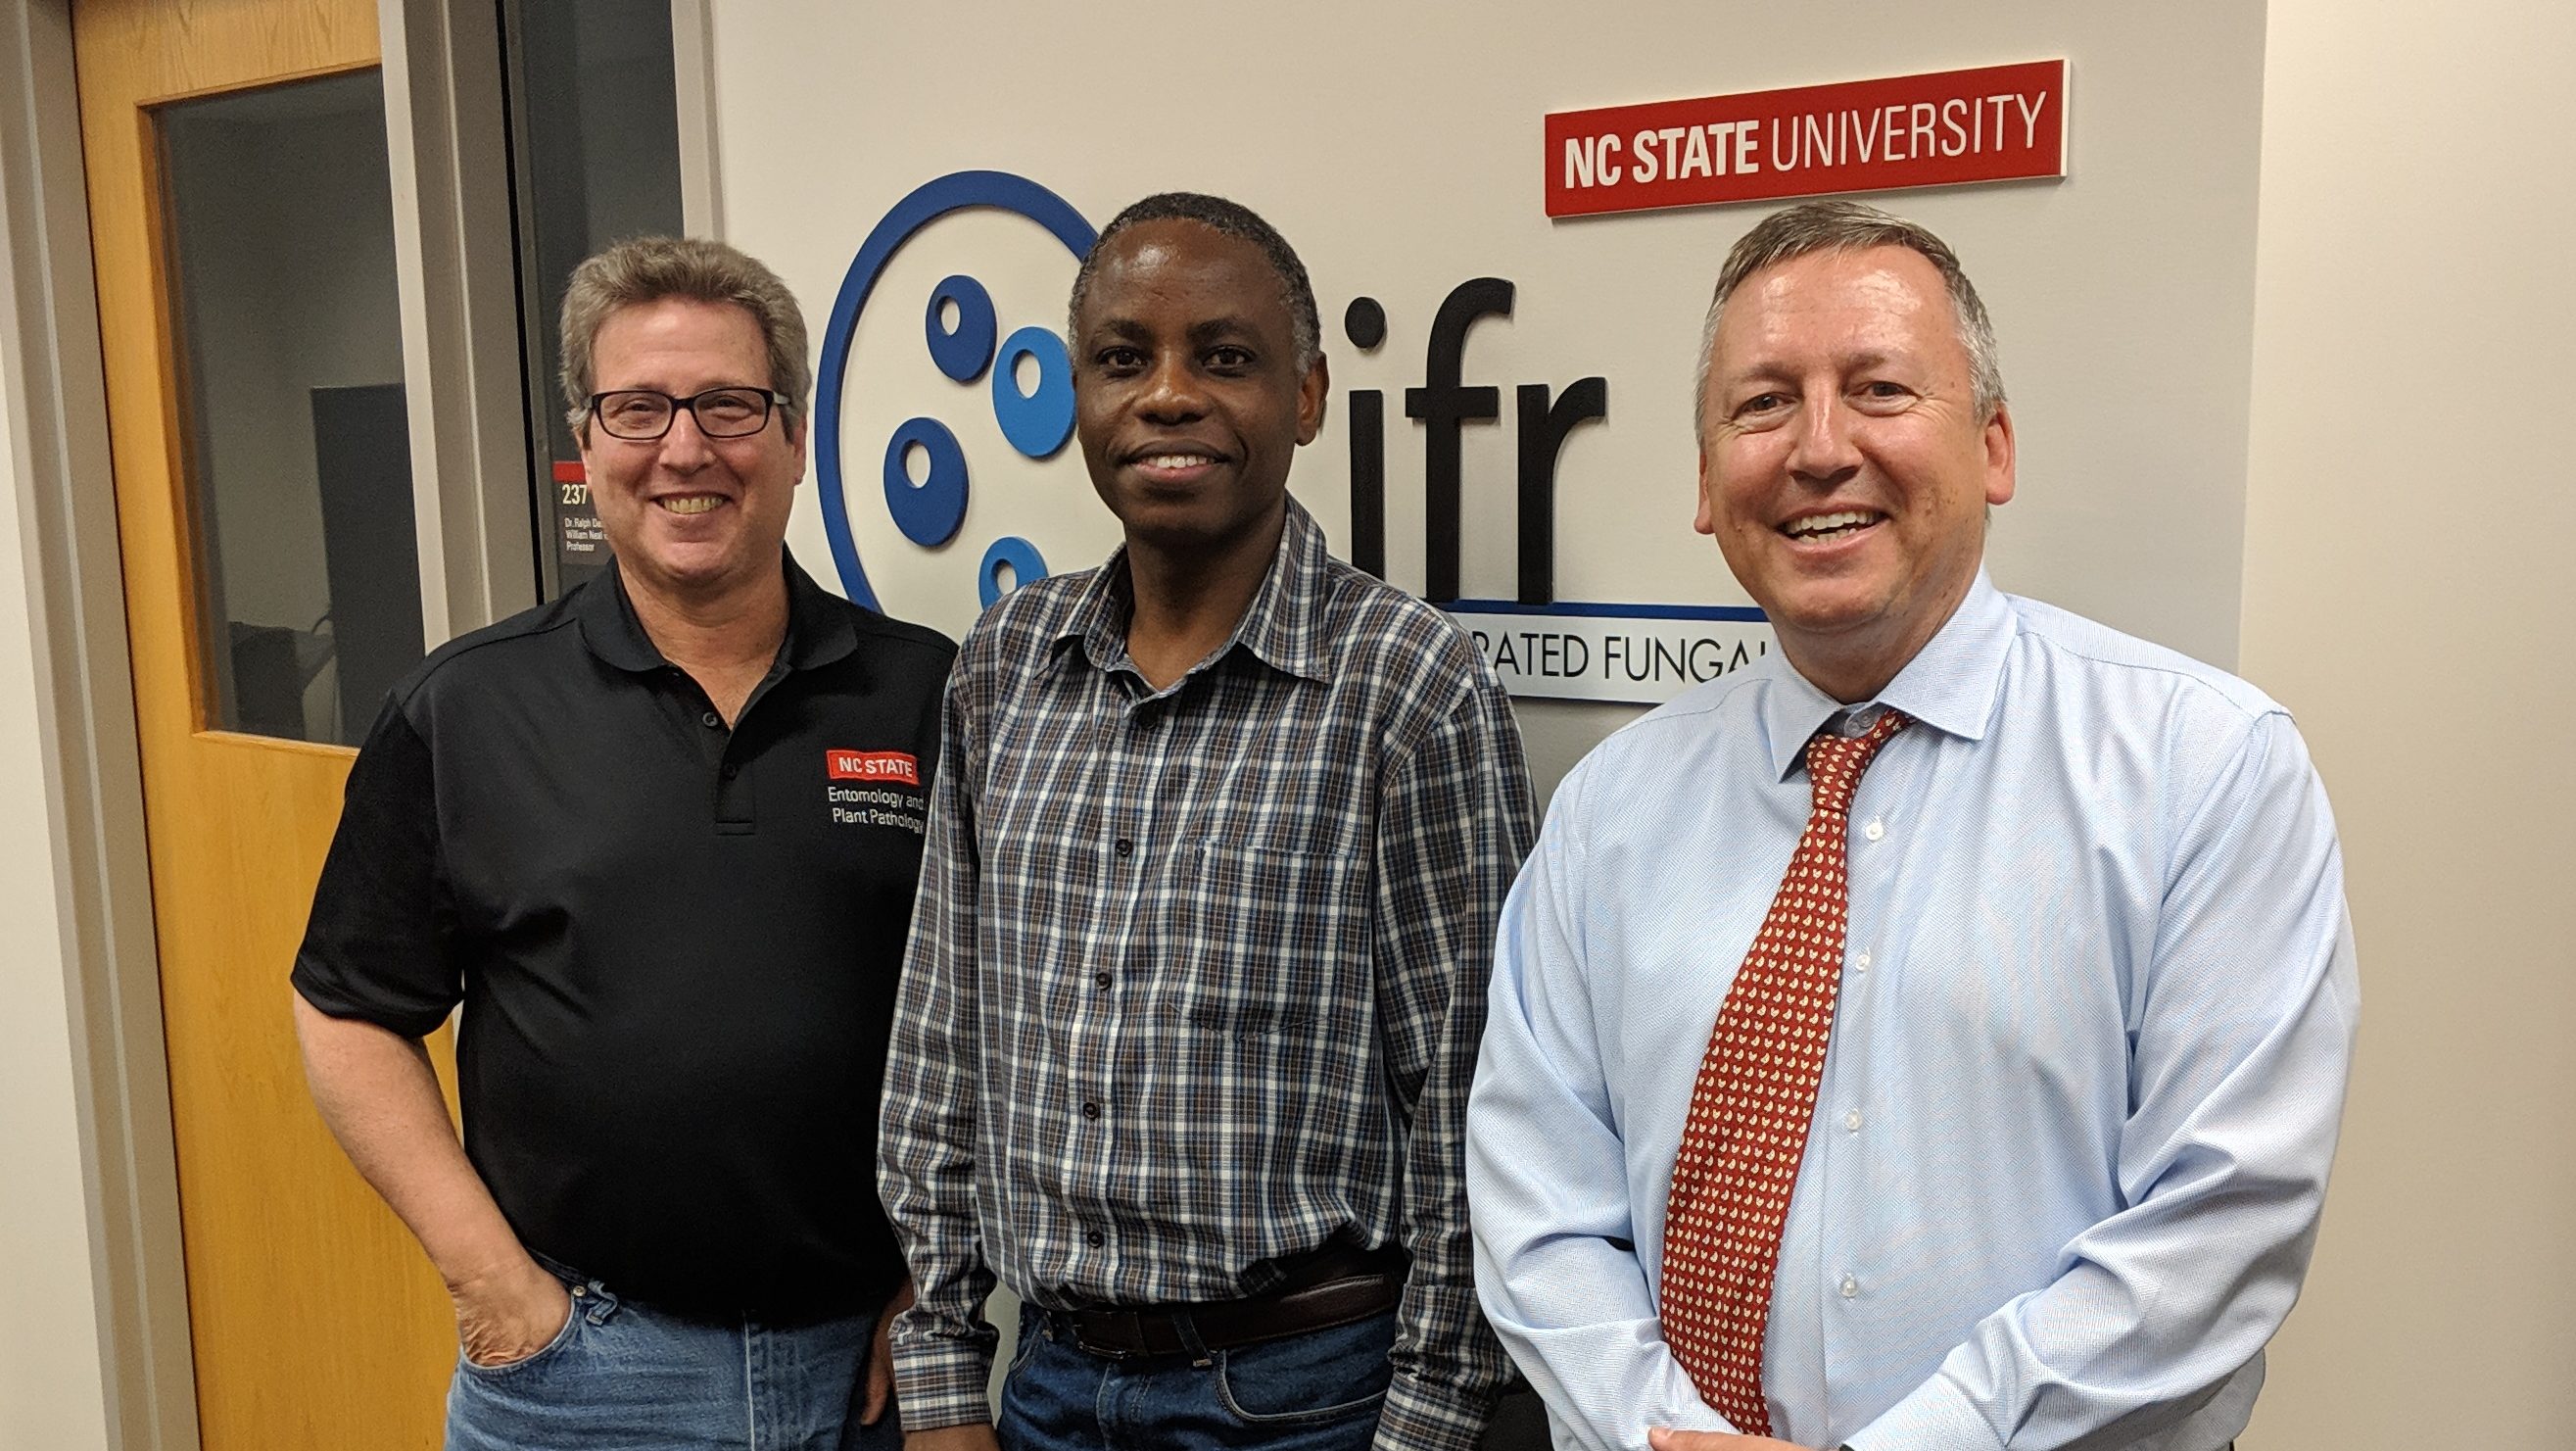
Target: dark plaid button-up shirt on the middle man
(1197, 975)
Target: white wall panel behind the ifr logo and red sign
(1400, 148)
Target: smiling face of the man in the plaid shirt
(1186, 390)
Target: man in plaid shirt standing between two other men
(1204, 929)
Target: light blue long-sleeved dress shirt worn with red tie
(2085, 1073)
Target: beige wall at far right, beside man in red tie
(2407, 591)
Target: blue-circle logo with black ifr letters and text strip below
(1537, 643)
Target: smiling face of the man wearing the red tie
(1846, 470)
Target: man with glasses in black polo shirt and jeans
(661, 839)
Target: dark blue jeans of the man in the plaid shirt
(1307, 1393)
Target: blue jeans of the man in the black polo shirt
(627, 1378)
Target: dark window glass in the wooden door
(279, 220)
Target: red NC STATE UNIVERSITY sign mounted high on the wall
(1815, 140)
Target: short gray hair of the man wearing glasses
(650, 269)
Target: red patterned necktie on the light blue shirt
(1756, 1102)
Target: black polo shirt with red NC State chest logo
(676, 945)
